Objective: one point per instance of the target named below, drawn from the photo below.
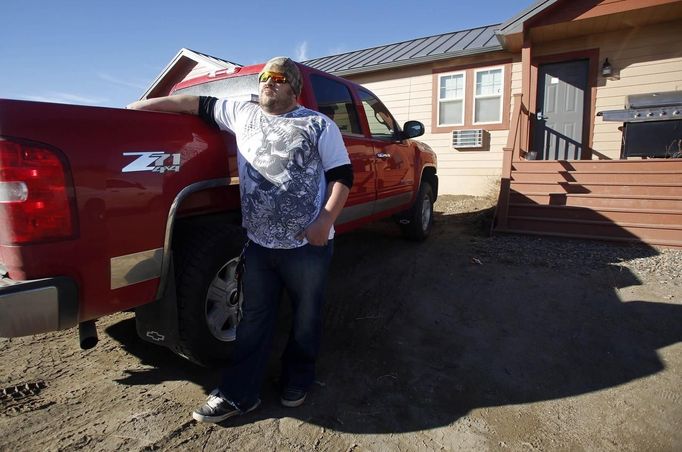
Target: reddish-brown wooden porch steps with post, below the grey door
(622, 200)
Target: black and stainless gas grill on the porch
(652, 125)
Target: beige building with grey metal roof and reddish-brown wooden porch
(526, 110)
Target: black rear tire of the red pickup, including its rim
(206, 258)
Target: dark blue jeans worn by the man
(303, 273)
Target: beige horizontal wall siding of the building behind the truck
(646, 59)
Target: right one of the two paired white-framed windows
(488, 95)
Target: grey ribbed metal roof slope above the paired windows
(415, 51)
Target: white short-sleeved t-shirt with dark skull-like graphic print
(282, 160)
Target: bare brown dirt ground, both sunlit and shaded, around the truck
(462, 342)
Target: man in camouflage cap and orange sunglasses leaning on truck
(295, 176)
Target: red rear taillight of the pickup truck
(36, 201)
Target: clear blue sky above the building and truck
(107, 53)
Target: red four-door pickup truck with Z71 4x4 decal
(105, 210)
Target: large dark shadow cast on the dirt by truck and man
(417, 334)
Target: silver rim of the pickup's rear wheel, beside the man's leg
(223, 309)
